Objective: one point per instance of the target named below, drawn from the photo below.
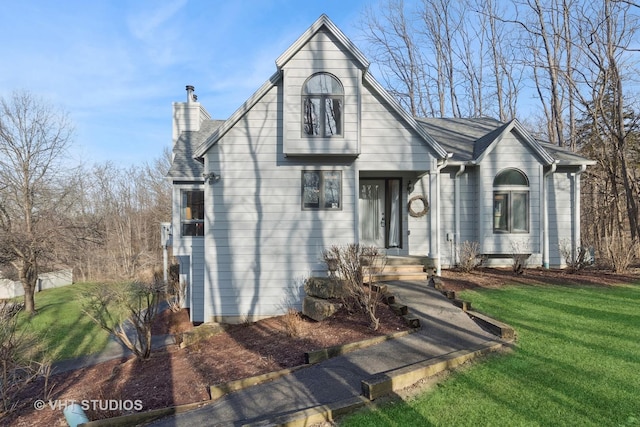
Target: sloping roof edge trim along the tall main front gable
(322, 22)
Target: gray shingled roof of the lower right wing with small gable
(470, 140)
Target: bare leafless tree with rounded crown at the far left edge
(33, 140)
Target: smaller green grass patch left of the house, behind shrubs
(65, 330)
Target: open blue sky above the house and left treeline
(116, 66)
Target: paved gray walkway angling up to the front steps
(337, 383)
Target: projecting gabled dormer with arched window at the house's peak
(322, 76)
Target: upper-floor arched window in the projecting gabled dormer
(322, 100)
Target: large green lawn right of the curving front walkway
(576, 363)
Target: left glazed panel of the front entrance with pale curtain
(372, 213)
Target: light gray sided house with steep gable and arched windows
(322, 155)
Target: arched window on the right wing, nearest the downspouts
(510, 202)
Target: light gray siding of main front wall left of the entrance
(260, 243)
